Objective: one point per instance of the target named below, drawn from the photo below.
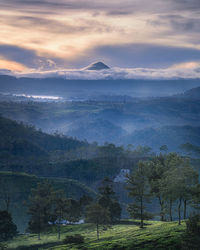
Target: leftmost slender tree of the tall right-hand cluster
(138, 186)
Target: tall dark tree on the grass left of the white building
(40, 207)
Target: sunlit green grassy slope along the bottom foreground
(127, 235)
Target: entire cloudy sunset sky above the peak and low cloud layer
(46, 35)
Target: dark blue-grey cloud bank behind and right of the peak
(144, 55)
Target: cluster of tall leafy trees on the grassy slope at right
(169, 178)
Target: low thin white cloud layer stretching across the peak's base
(188, 70)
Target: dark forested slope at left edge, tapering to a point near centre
(20, 144)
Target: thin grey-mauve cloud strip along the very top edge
(108, 6)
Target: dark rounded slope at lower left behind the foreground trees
(18, 186)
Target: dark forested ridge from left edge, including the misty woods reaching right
(25, 149)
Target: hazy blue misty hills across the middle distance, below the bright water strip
(121, 122)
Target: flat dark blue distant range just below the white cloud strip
(82, 89)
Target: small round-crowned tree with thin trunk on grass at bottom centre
(99, 216)
